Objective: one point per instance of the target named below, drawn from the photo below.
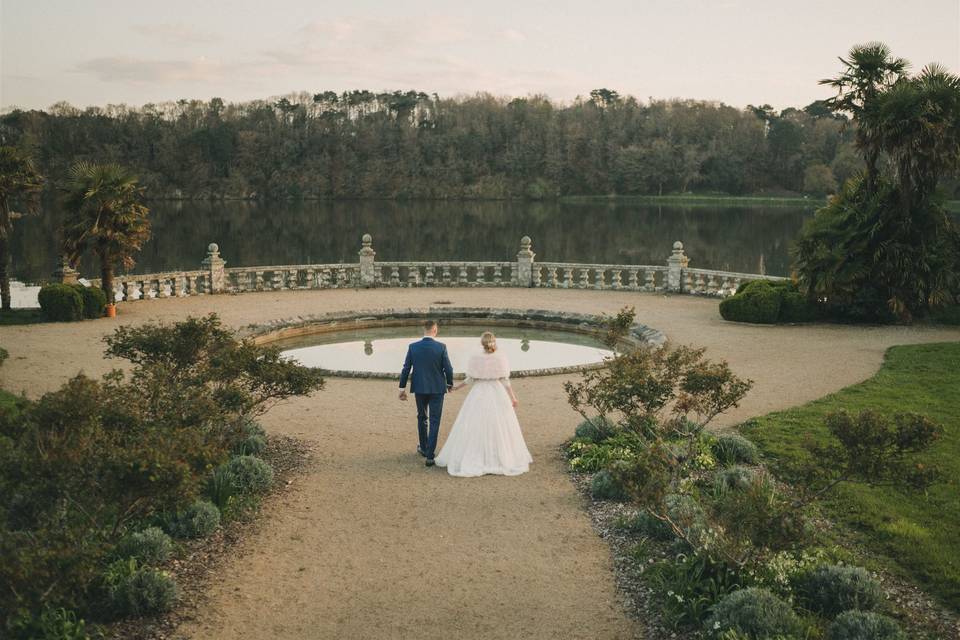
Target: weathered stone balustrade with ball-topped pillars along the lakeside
(675, 276)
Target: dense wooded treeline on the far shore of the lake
(413, 145)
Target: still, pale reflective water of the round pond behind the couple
(380, 351)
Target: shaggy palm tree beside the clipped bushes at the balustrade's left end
(105, 214)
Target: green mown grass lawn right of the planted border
(914, 535)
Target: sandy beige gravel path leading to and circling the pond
(372, 545)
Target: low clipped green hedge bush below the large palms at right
(767, 302)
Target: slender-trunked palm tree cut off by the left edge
(19, 183)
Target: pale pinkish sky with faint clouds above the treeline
(96, 52)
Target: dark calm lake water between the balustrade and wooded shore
(733, 238)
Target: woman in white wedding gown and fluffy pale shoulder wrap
(486, 438)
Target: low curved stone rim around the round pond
(315, 324)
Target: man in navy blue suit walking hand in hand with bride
(432, 378)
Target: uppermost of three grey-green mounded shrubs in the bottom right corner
(833, 589)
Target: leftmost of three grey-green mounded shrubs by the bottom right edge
(754, 612)
